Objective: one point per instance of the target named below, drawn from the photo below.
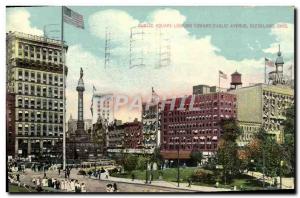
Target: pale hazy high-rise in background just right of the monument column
(103, 105)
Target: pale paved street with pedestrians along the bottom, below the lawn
(124, 185)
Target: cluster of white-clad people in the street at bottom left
(63, 185)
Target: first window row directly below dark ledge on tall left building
(38, 77)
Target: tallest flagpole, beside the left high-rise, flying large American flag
(64, 84)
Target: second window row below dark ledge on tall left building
(38, 90)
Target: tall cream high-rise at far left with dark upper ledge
(35, 78)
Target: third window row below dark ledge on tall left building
(39, 103)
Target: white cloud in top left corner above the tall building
(18, 19)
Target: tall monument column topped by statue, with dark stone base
(80, 146)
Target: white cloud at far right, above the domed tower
(284, 35)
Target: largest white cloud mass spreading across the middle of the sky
(193, 60)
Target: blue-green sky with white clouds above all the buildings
(238, 39)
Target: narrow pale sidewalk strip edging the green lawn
(183, 186)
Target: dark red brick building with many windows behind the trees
(194, 127)
